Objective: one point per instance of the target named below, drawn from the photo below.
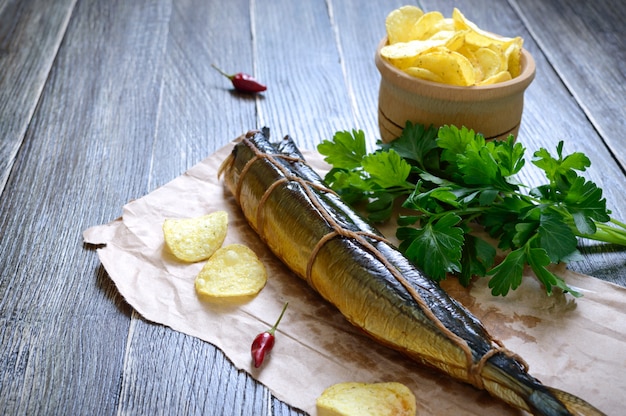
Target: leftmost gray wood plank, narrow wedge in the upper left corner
(30, 35)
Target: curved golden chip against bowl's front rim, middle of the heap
(452, 67)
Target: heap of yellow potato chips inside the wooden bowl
(449, 50)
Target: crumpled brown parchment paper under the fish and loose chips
(576, 345)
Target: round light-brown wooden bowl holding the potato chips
(493, 110)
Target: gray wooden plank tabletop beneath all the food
(102, 102)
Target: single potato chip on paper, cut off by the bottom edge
(367, 399)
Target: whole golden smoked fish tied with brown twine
(351, 265)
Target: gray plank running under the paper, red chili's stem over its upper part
(167, 371)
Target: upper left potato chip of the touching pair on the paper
(195, 239)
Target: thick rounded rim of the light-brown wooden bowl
(435, 89)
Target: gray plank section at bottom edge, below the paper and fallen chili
(167, 372)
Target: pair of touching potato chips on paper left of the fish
(231, 271)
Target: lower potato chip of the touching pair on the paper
(233, 271)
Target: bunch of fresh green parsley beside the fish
(451, 180)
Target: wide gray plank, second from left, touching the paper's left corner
(86, 152)
